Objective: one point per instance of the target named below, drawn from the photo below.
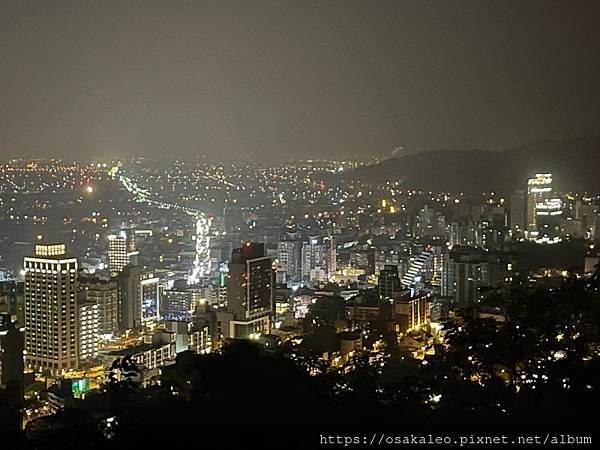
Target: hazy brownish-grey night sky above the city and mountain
(282, 79)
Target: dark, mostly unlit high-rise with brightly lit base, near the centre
(249, 292)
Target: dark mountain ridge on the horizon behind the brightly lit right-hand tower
(575, 164)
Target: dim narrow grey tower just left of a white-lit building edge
(129, 297)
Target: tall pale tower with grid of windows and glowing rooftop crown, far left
(51, 309)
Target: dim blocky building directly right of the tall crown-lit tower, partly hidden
(105, 295)
